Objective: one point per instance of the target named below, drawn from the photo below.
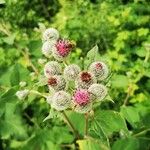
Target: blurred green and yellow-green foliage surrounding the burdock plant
(120, 28)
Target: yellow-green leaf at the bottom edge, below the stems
(91, 145)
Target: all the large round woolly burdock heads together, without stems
(87, 89)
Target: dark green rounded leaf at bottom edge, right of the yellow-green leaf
(126, 144)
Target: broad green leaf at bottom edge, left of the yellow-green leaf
(48, 139)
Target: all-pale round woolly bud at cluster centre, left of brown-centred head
(71, 72)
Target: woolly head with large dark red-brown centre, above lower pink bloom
(85, 79)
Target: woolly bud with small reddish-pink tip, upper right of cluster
(99, 69)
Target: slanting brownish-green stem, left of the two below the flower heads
(71, 125)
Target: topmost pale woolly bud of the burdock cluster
(50, 34)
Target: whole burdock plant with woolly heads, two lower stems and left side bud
(69, 87)
